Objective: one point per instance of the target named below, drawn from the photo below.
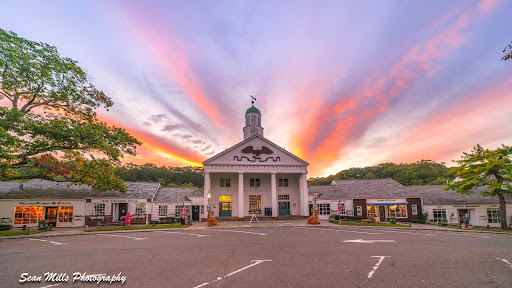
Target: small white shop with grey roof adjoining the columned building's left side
(169, 202)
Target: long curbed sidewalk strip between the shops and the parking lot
(242, 224)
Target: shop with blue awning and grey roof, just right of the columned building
(381, 198)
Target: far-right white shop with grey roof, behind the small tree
(450, 205)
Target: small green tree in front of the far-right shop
(490, 169)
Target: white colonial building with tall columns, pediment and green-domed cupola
(256, 176)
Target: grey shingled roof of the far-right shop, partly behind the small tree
(435, 195)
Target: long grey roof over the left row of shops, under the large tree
(45, 189)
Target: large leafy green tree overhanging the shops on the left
(48, 122)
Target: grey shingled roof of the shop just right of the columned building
(362, 189)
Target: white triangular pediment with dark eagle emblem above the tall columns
(255, 150)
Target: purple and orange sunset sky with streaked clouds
(340, 84)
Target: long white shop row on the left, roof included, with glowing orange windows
(65, 204)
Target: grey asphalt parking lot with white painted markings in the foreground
(337, 256)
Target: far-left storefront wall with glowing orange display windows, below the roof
(60, 213)
